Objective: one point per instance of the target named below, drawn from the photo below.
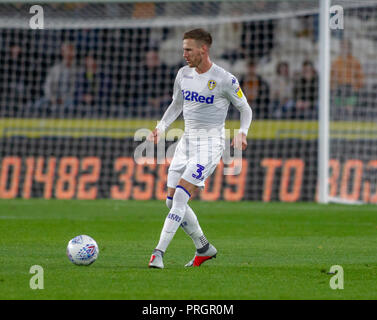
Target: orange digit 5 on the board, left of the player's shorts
(146, 178)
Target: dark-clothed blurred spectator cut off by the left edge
(14, 79)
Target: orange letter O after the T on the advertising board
(296, 165)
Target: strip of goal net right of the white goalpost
(353, 112)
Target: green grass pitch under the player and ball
(265, 251)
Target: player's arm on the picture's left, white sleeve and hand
(171, 113)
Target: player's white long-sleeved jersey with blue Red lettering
(204, 99)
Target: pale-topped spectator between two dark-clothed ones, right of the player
(282, 91)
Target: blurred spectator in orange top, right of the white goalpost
(347, 79)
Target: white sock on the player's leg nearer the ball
(174, 218)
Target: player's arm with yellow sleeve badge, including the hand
(238, 99)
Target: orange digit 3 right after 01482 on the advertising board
(126, 164)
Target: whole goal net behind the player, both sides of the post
(73, 95)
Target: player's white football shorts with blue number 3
(194, 160)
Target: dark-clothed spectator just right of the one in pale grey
(92, 88)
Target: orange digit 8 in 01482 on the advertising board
(67, 173)
